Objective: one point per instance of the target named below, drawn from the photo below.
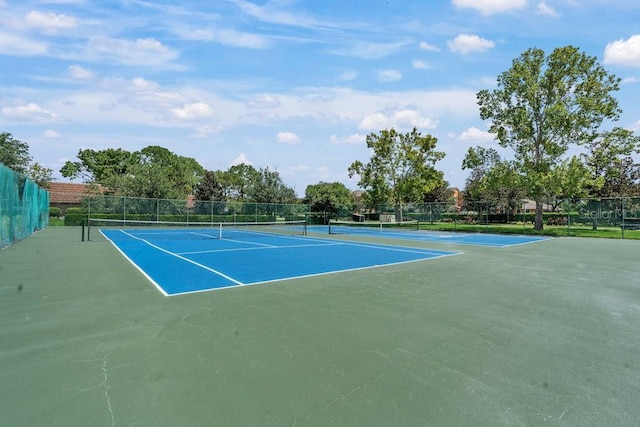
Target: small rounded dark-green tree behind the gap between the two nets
(328, 198)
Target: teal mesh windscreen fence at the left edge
(24, 207)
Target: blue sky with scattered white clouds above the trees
(292, 85)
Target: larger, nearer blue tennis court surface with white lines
(176, 264)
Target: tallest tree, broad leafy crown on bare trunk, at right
(542, 105)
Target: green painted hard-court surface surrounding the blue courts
(542, 333)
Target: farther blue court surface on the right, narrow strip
(479, 239)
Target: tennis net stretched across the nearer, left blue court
(166, 230)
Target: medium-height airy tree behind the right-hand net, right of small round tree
(401, 169)
